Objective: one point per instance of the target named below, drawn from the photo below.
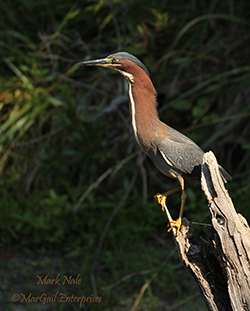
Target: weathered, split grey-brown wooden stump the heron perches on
(221, 264)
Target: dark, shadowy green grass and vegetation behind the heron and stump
(74, 185)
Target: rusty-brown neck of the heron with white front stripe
(143, 112)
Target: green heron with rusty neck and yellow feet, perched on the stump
(174, 154)
